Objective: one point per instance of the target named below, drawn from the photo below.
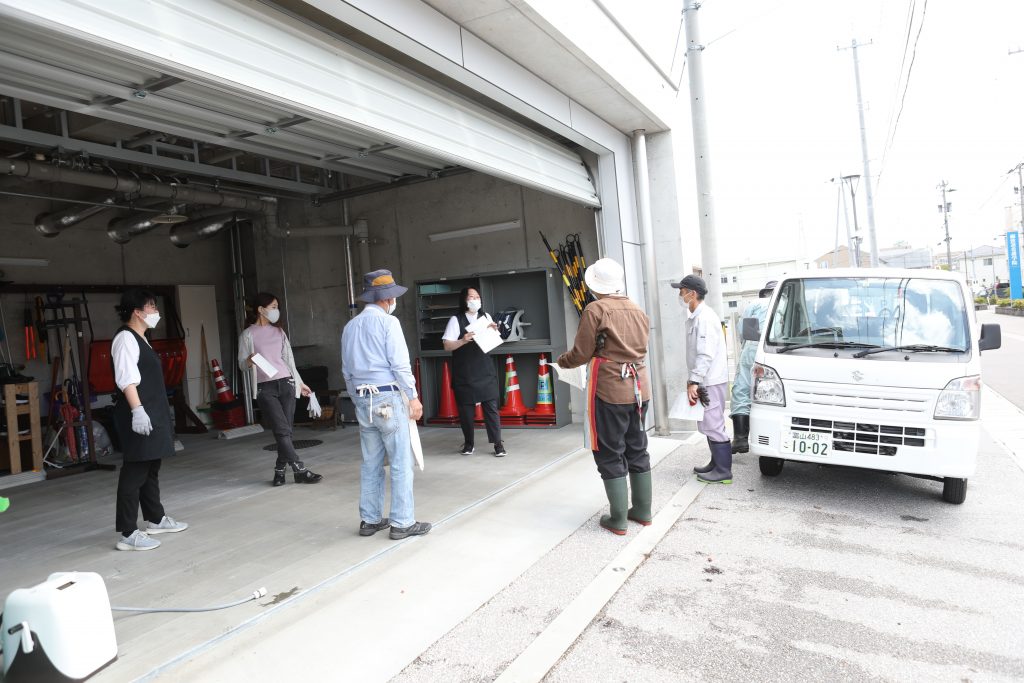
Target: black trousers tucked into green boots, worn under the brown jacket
(622, 440)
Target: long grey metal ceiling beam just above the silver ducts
(49, 142)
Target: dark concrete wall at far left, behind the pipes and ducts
(84, 255)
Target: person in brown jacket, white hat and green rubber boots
(613, 341)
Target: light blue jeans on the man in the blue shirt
(379, 436)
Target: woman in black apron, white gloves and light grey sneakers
(143, 418)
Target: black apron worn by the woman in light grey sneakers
(160, 444)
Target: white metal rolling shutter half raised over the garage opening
(261, 57)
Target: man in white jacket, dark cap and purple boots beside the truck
(708, 377)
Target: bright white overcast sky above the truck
(783, 112)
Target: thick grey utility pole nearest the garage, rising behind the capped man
(702, 158)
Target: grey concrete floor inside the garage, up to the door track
(245, 534)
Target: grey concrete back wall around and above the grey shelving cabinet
(400, 222)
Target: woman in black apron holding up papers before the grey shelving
(474, 377)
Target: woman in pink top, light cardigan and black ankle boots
(276, 392)
